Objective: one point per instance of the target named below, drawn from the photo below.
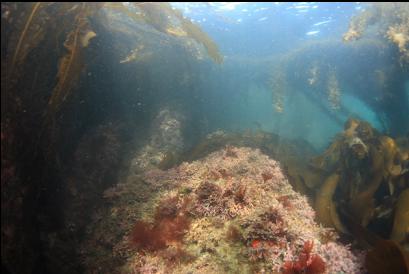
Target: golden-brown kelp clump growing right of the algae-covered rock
(364, 165)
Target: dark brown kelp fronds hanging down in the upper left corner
(32, 25)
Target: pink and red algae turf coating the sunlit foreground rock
(263, 222)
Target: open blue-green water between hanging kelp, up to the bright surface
(256, 37)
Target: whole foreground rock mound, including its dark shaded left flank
(231, 212)
